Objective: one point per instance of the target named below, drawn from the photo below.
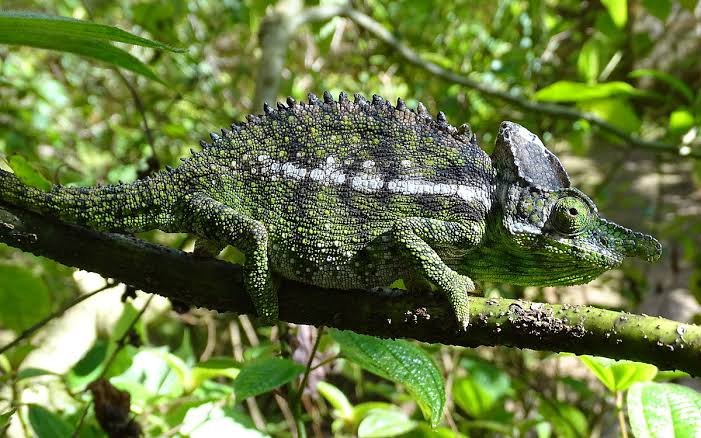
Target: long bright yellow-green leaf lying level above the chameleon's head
(568, 91)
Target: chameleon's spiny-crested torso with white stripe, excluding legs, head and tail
(328, 179)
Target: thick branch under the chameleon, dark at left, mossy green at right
(218, 285)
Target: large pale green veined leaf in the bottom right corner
(664, 410)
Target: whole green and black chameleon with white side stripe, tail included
(356, 194)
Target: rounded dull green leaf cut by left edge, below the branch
(24, 298)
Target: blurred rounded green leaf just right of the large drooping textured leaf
(478, 393)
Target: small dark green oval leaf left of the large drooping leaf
(262, 375)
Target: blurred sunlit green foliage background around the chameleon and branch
(70, 119)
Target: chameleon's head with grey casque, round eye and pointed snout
(554, 230)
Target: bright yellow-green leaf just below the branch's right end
(619, 375)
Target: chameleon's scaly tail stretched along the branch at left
(140, 206)
